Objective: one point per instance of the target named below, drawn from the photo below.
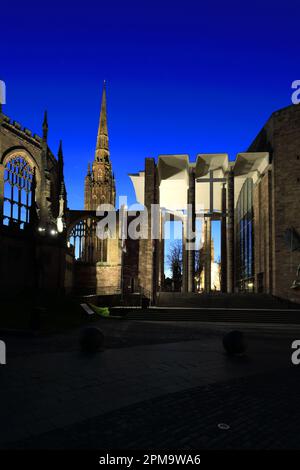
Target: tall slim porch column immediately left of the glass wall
(230, 232)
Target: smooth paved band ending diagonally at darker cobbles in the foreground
(43, 392)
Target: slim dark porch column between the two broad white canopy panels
(192, 225)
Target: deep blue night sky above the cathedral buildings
(182, 77)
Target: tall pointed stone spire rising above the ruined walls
(99, 185)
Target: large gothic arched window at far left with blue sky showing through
(18, 176)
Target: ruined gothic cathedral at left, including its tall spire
(45, 245)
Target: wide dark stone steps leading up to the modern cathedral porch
(236, 308)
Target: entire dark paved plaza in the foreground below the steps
(156, 385)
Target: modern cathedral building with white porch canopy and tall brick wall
(256, 198)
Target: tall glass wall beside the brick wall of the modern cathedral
(245, 238)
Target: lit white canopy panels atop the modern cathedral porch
(173, 175)
